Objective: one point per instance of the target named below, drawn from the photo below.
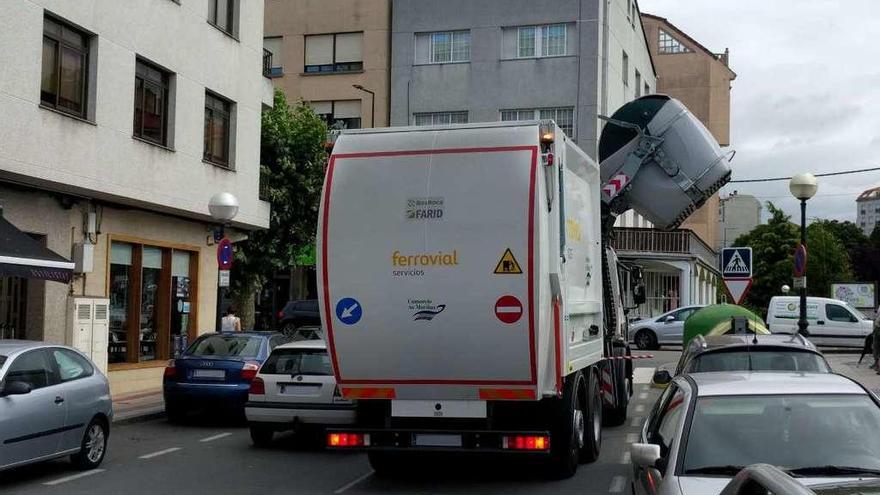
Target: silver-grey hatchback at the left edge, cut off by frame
(54, 402)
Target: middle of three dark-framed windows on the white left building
(151, 103)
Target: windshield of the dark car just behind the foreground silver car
(763, 360)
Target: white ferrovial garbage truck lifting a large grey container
(469, 293)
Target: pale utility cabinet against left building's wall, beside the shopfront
(89, 328)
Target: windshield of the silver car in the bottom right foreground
(811, 433)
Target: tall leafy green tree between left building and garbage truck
(293, 157)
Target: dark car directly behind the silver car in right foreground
(747, 352)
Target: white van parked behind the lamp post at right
(832, 322)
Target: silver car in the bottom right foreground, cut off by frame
(706, 427)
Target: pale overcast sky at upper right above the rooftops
(807, 93)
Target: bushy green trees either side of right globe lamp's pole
(773, 246)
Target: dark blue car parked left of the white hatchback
(215, 372)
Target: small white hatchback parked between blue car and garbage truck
(295, 390)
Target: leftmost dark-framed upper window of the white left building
(65, 68)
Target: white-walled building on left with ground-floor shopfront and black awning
(122, 120)
